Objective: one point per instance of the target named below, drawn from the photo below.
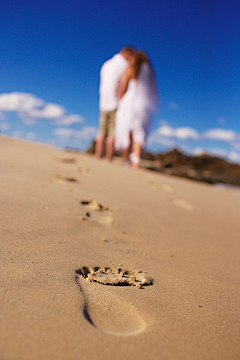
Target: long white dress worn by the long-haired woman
(136, 109)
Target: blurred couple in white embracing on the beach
(128, 100)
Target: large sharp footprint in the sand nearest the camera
(103, 307)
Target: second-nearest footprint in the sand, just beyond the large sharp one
(98, 213)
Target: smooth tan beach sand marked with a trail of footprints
(66, 215)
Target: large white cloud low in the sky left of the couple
(30, 108)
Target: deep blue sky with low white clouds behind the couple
(52, 51)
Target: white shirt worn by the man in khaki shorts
(110, 75)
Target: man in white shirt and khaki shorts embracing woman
(110, 75)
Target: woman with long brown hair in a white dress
(138, 103)
